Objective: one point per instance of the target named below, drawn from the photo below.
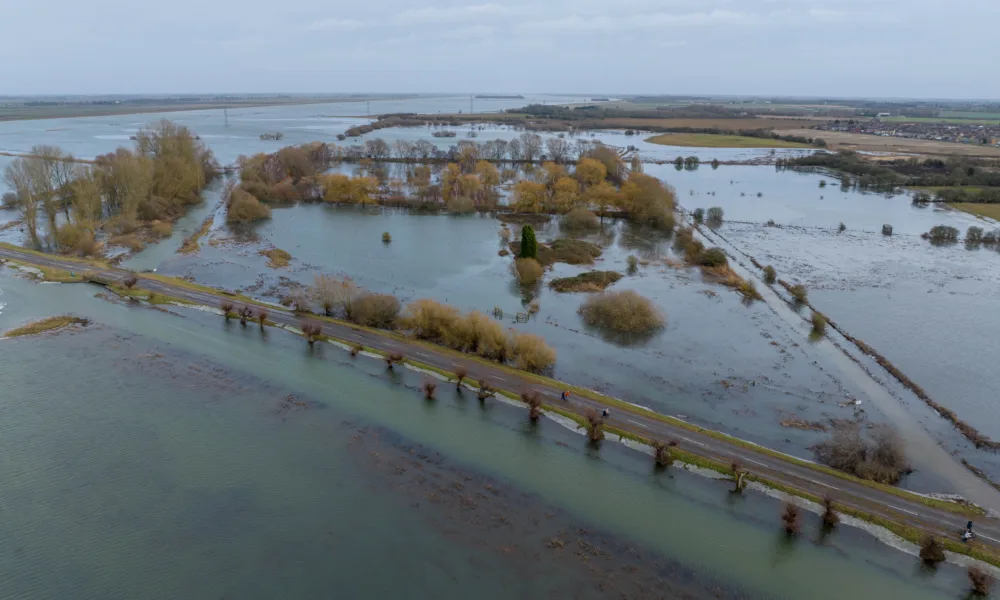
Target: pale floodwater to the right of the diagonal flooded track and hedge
(927, 308)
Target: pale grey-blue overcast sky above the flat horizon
(913, 48)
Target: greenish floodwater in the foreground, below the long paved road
(176, 455)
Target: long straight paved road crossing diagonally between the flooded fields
(870, 500)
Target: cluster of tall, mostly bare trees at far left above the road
(157, 179)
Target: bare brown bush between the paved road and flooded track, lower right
(879, 456)
